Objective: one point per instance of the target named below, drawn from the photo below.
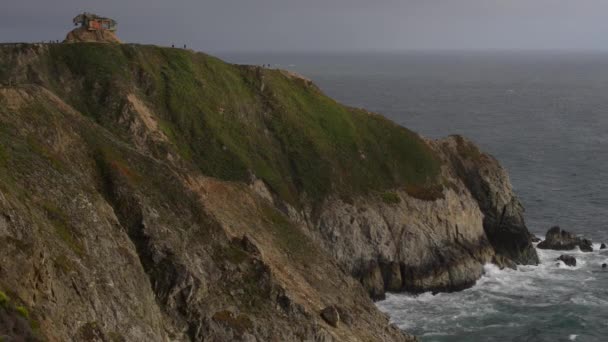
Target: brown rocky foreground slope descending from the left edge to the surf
(100, 251)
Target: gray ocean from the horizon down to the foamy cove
(545, 117)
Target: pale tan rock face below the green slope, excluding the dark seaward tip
(413, 245)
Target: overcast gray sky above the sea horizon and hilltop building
(295, 25)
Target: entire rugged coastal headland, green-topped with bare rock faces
(152, 194)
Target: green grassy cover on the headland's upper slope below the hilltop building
(234, 121)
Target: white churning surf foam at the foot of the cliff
(503, 298)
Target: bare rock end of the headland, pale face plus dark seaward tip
(419, 245)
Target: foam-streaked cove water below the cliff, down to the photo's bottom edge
(549, 302)
